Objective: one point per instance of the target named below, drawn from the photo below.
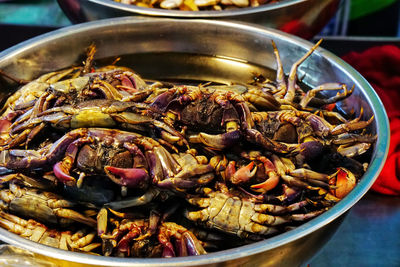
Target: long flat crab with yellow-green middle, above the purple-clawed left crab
(93, 113)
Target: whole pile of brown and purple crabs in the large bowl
(102, 161)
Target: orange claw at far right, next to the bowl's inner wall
(345, 181)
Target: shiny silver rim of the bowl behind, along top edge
(195, 14)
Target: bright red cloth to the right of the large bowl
(380, 65)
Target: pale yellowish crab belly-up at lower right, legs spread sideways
(242, 216)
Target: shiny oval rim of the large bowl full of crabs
(379, 157)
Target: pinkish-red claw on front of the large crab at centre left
(130, 177)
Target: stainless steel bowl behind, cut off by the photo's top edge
(304, 18)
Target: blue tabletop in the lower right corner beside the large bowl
(369, 235)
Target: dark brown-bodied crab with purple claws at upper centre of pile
(217, 116)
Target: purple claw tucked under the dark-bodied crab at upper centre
(220, 141)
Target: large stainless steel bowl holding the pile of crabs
(205, 50)
